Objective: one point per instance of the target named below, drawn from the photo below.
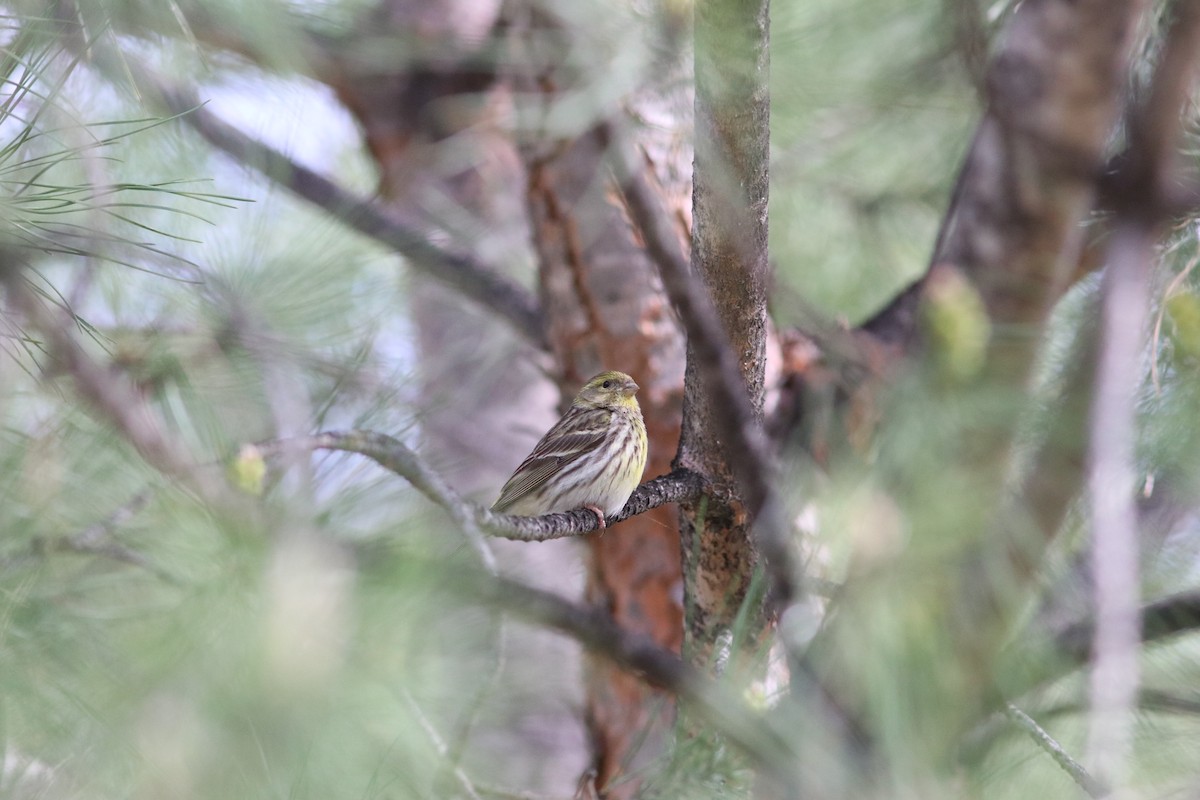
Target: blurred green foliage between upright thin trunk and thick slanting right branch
(872, 112)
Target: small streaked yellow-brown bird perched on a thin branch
(592, 459)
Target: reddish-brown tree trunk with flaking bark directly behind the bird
(604, 311)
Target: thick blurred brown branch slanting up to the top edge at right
(1054, 91)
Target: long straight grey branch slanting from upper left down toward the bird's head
(463, 273)
